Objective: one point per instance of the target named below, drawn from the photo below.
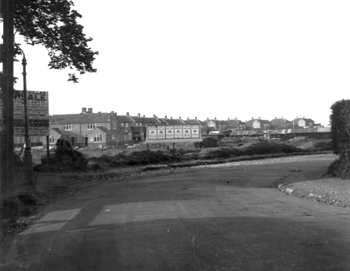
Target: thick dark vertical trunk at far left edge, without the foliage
(7, 54)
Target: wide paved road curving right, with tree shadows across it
(228, 218)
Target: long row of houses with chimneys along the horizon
(89, 129)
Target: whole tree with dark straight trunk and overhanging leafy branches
(53, 24)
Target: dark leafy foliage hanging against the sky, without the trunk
(53, 23)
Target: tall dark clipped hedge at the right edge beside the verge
(340, 129)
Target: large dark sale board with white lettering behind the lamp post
(38, 113)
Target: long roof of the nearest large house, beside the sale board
(81, 118)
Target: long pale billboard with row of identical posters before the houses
(173, 134)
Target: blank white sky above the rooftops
(205, 59)
